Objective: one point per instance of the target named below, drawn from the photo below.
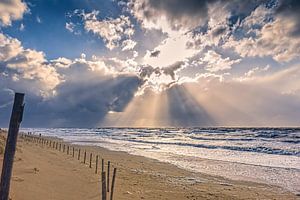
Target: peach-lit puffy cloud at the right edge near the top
(266, 37)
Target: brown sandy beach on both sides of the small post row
(41, 172)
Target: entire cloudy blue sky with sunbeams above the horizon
(151, 63)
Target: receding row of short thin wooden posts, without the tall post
(107, 186)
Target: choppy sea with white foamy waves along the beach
(264, 155)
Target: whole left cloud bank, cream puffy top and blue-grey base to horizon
(62, 92)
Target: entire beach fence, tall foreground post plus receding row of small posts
(107, 189)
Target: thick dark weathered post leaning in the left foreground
(11, 142)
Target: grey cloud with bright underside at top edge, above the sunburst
(170, 14)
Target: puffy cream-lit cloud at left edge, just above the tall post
(26, 69)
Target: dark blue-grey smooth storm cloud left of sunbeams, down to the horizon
(76, 105)
